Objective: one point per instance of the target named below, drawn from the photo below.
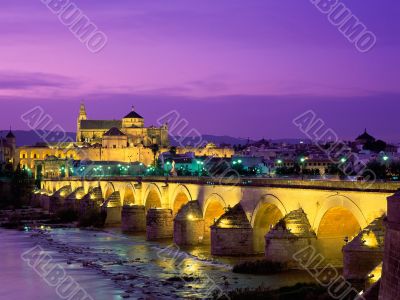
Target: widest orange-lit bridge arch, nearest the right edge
(339, 210)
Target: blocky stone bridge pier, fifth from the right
(159, 224)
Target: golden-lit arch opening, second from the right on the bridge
(267, 213)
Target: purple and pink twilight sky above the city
(241, 68)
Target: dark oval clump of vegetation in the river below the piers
(259, 267)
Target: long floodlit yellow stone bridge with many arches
(236, 218)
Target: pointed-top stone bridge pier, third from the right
(232, 234)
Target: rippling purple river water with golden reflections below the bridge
(112, 265)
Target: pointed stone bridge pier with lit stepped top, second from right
(290, 235)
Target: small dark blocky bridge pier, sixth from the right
(133, 218)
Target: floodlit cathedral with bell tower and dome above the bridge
(127, 132)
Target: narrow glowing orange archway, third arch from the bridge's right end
(213, 209)
